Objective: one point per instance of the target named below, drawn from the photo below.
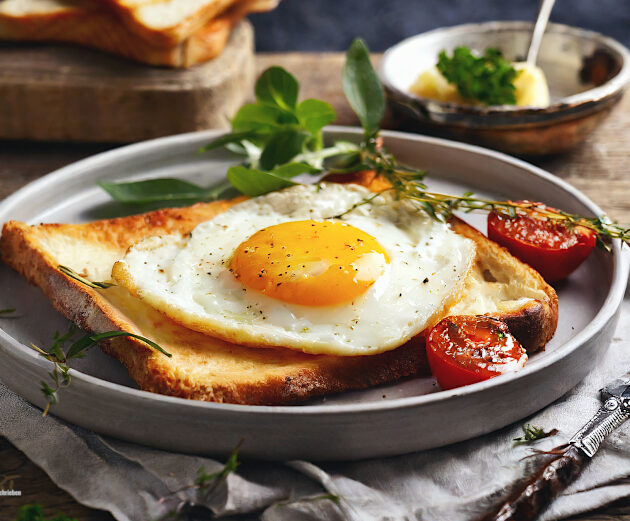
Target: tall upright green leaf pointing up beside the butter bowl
(362, 87)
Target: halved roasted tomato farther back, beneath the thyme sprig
(548, 246)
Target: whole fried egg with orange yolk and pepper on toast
(308, 268)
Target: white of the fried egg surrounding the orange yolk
(188, 279)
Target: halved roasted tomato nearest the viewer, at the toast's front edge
(463, 350)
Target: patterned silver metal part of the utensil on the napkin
(611, 415)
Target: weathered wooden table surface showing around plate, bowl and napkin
(599, 167)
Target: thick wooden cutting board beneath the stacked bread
(65, 93)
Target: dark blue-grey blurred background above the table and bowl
(330, 25)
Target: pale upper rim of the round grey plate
(607, 311)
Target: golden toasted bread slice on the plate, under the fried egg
(205, 368)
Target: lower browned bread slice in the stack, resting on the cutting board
(96, 26)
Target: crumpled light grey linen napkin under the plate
(459, 482)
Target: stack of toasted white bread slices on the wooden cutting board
(173, 33)
